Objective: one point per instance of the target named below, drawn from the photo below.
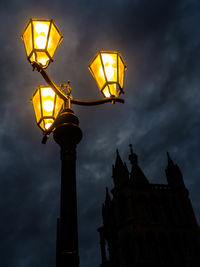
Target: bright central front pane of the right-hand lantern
(110, 66)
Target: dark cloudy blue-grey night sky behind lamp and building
(160, 43)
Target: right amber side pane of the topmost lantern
(54, 39)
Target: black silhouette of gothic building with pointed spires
(148, 225)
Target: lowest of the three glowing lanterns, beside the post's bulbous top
(46, 105)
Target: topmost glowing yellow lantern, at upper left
(41, 38)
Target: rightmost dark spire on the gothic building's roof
(173, 173)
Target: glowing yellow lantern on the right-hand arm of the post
(108, 70)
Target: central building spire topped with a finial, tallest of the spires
(137, 175)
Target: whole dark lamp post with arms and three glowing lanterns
(52, 106)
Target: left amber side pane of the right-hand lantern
(98, 72)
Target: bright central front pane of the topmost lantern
(41, 29)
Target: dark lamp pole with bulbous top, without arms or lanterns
(67, 134)
